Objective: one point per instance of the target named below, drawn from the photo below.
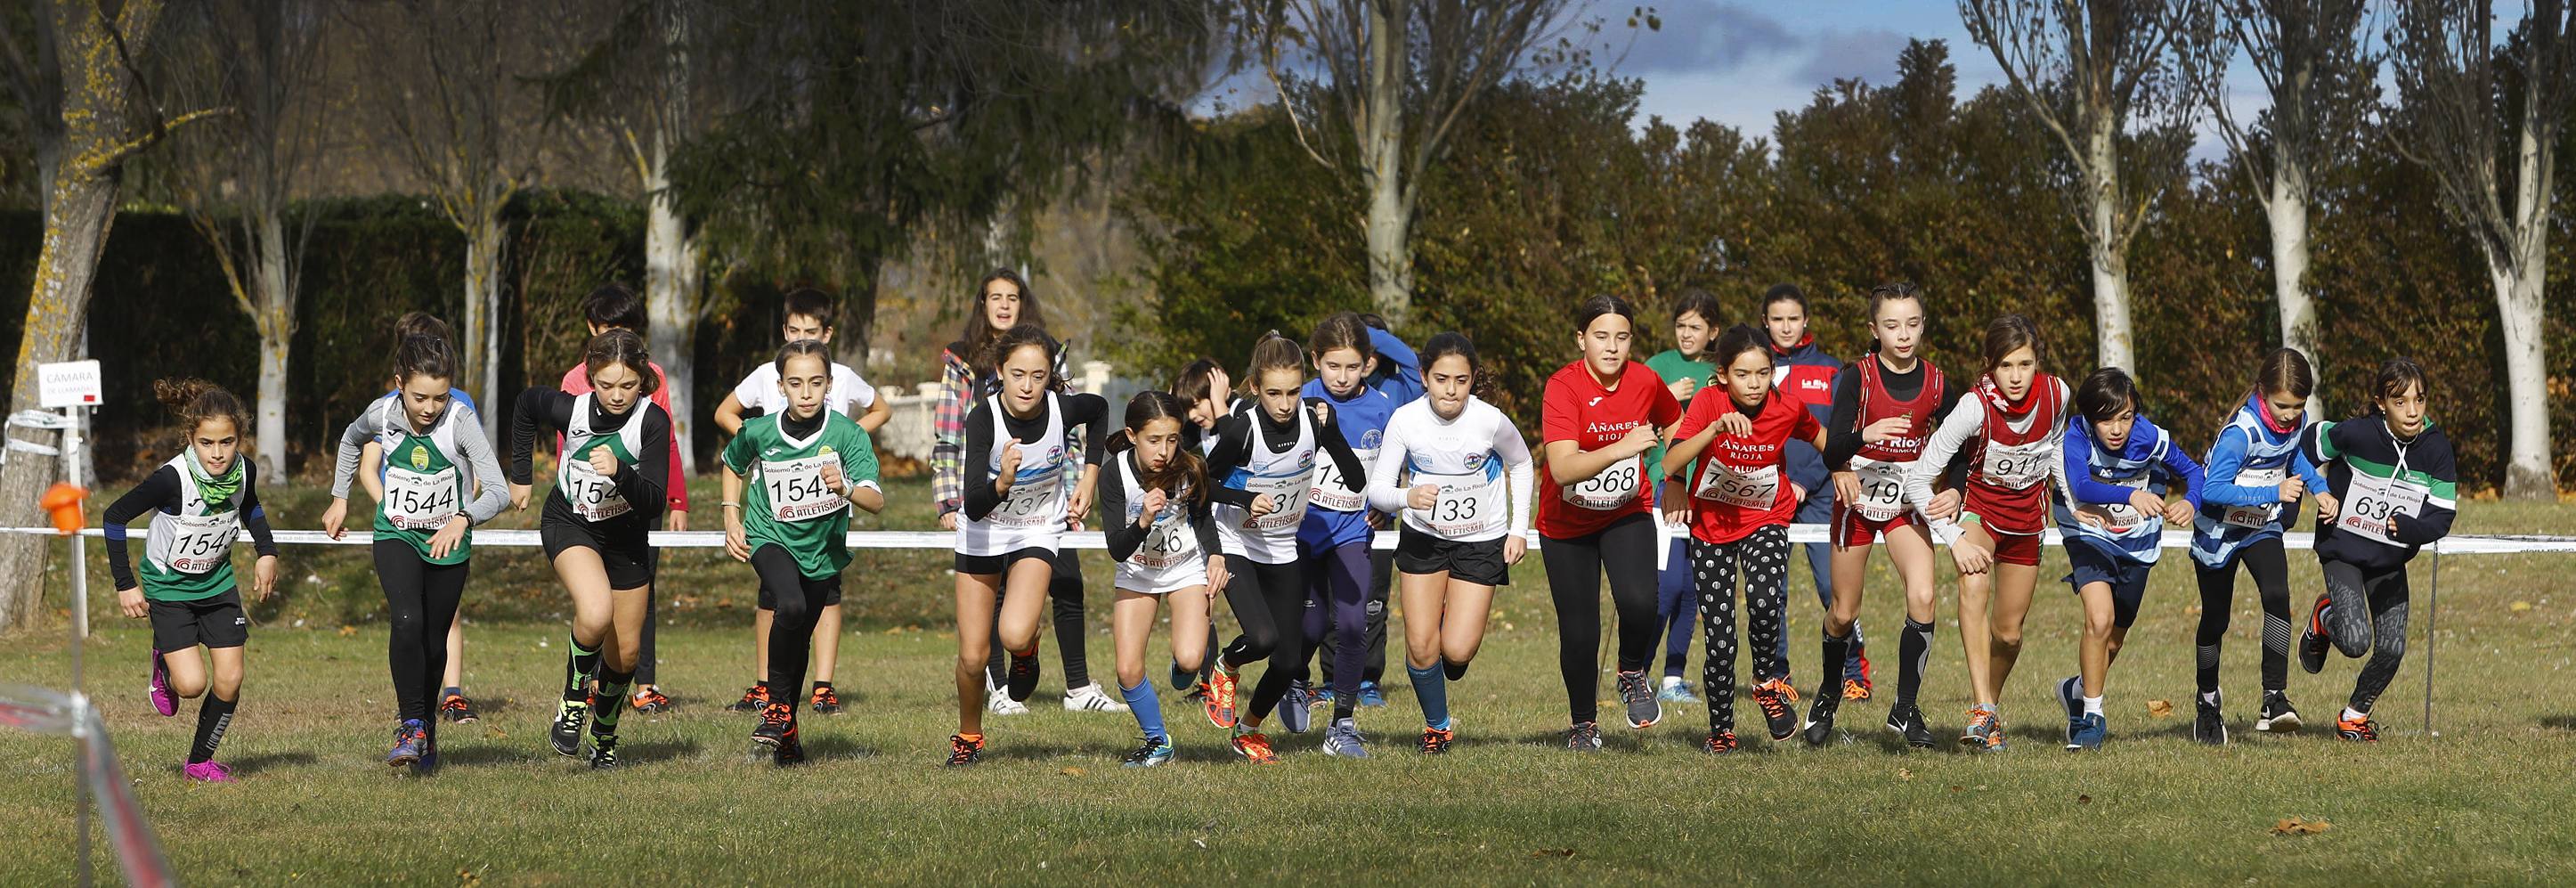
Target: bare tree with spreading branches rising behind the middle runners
(1392, 79)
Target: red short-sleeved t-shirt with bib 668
(1593, 418)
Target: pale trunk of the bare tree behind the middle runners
(1382, 169)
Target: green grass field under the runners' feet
(2485, 802)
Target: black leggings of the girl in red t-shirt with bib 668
(1575, 583)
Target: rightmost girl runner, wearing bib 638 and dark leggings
(2394, 490)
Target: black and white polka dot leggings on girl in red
(1763, 562)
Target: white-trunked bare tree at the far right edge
(2461, 102)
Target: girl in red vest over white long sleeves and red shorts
(2013, 426)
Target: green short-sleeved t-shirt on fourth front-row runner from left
(787, 503)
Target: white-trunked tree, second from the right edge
(2317, 68)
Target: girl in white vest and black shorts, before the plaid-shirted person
(1014, 519)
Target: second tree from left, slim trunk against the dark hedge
(241, 174)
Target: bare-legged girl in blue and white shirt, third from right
(2116, 532)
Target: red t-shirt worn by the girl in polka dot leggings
(1740, 485)
